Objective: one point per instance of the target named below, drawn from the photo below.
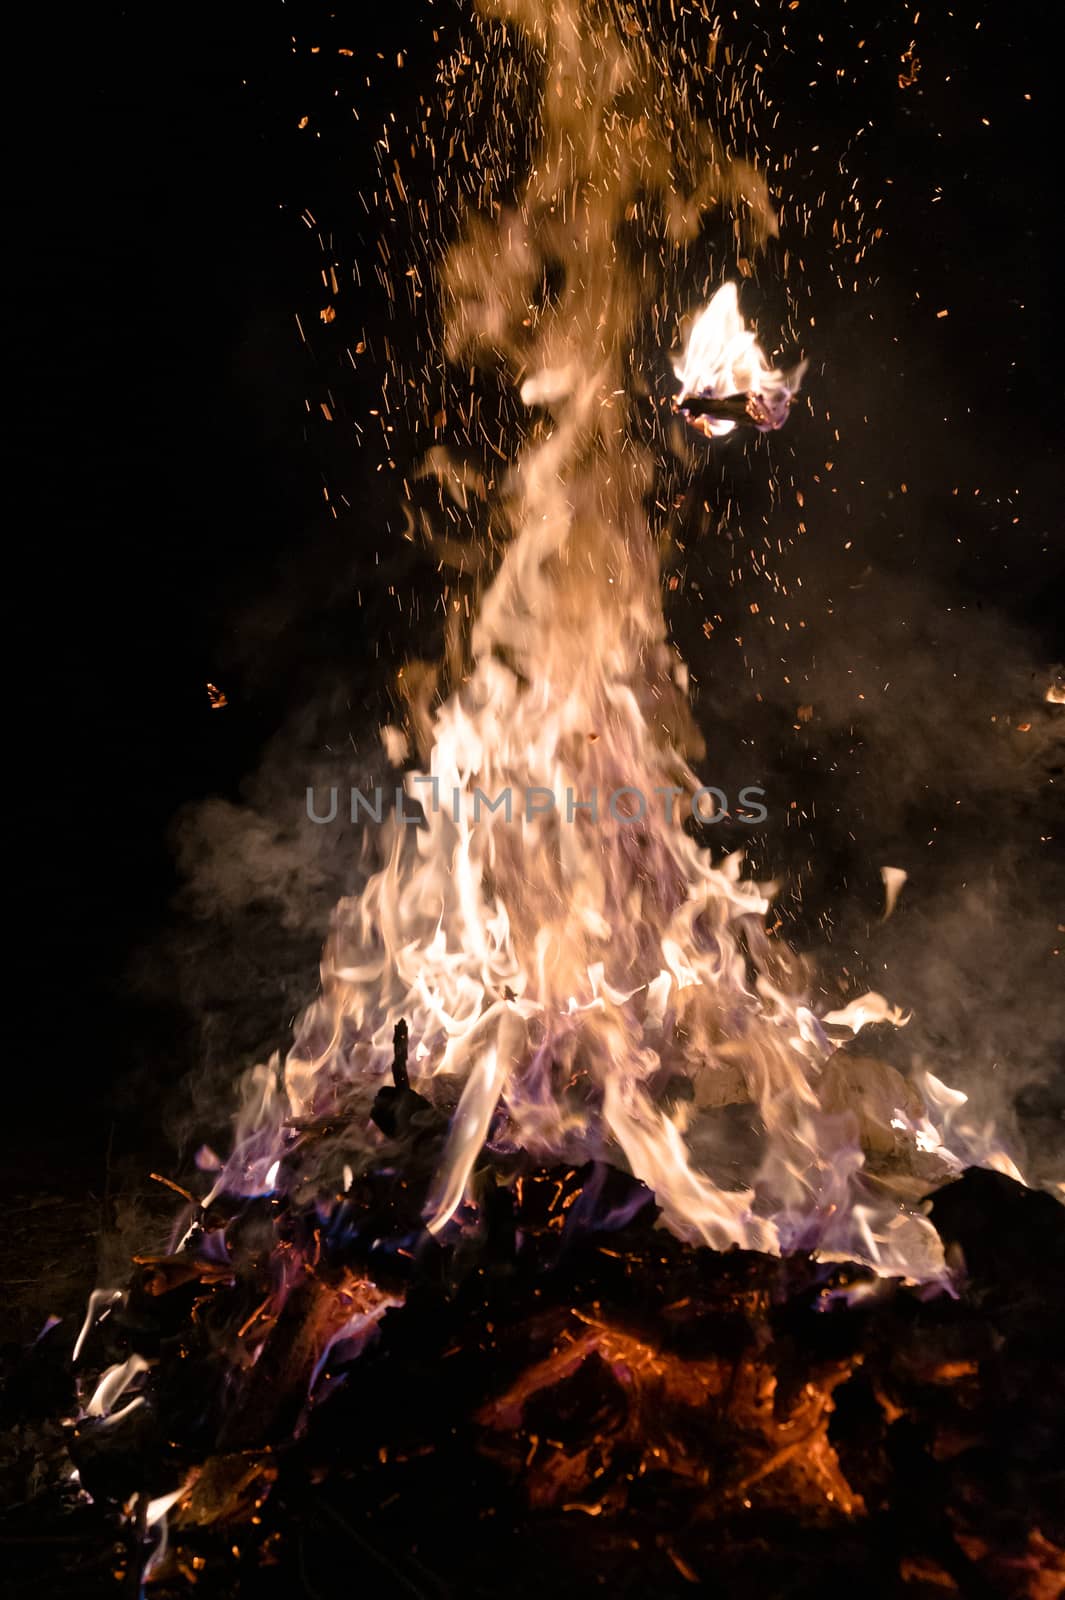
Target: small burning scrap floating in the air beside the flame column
(724, 370)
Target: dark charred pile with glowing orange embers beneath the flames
(572, 1401)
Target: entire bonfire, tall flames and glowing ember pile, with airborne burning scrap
(564, 1148)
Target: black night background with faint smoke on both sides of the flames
(175, 530)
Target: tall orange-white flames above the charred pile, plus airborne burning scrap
(565, 958)
